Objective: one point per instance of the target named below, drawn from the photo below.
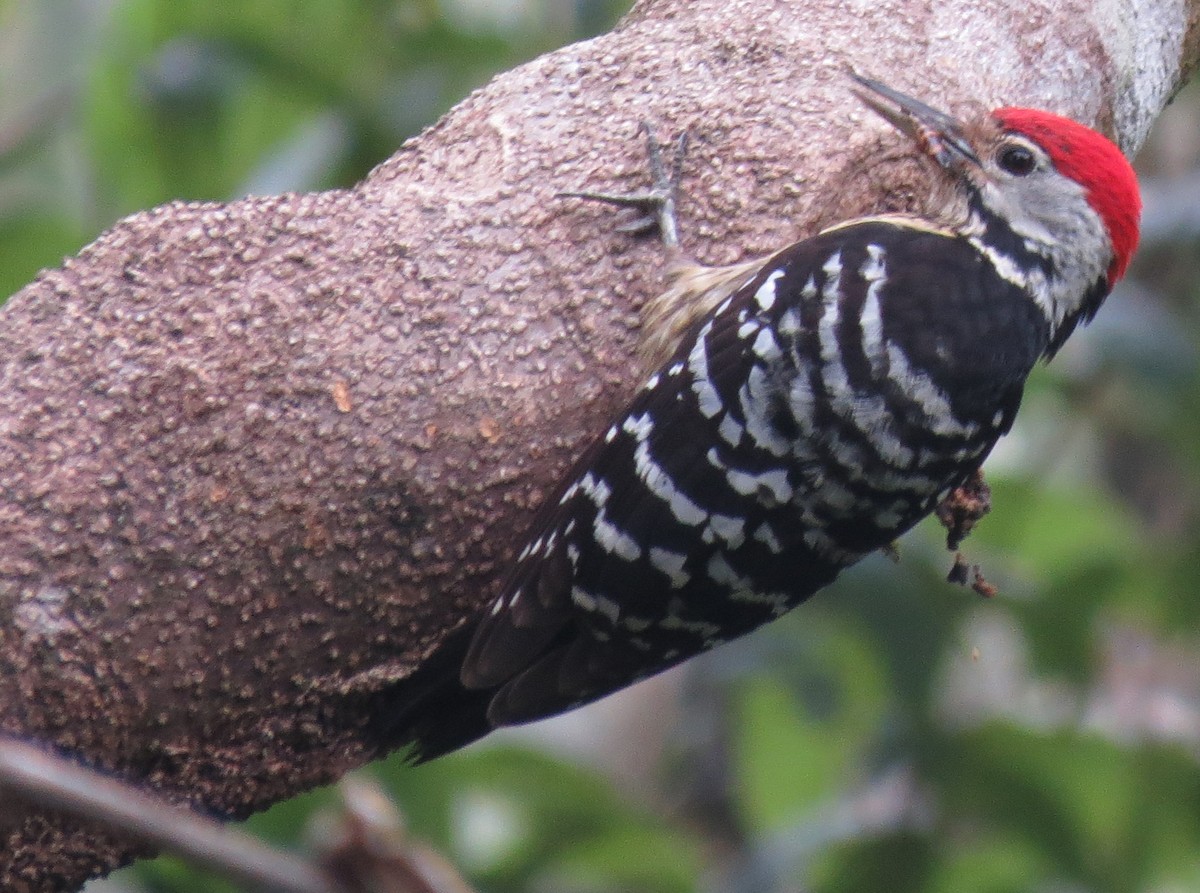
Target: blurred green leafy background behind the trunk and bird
(897, 734)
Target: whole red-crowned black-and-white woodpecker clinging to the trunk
(805, 411)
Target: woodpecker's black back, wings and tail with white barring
(811, 419)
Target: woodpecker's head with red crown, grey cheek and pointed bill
(1055, 201)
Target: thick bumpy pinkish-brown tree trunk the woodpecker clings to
(259, 459)
